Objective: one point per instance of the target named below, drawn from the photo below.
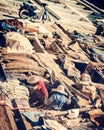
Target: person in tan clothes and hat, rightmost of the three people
(89, 88)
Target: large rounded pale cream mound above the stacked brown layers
(16, 42)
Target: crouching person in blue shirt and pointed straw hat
(58, 99)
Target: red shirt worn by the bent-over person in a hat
(41, 90)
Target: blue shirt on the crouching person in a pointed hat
(56, 101)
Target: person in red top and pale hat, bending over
(39, 93)
